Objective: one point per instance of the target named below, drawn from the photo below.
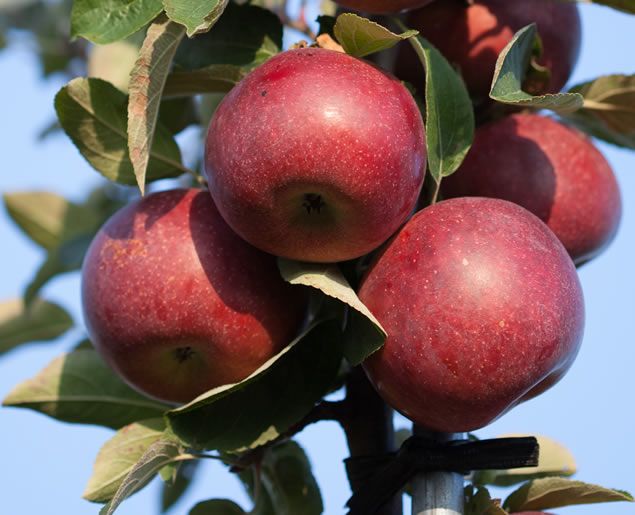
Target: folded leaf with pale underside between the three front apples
(364, 333)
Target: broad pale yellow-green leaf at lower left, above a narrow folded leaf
(119, 455)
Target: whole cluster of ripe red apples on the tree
(320, 157)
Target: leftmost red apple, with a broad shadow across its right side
(177, 303)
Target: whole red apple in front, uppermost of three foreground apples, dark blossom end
(316, 156)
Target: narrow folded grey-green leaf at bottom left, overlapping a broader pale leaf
(160, 454)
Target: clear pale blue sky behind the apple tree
(46, 463)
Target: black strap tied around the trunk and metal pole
(381, 477)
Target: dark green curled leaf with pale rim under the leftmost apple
(263, 406)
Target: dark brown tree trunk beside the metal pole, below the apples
(368, 426)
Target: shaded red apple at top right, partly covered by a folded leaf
(472, 36)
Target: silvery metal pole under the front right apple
(438, 493)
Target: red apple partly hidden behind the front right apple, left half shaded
(553, 171)
